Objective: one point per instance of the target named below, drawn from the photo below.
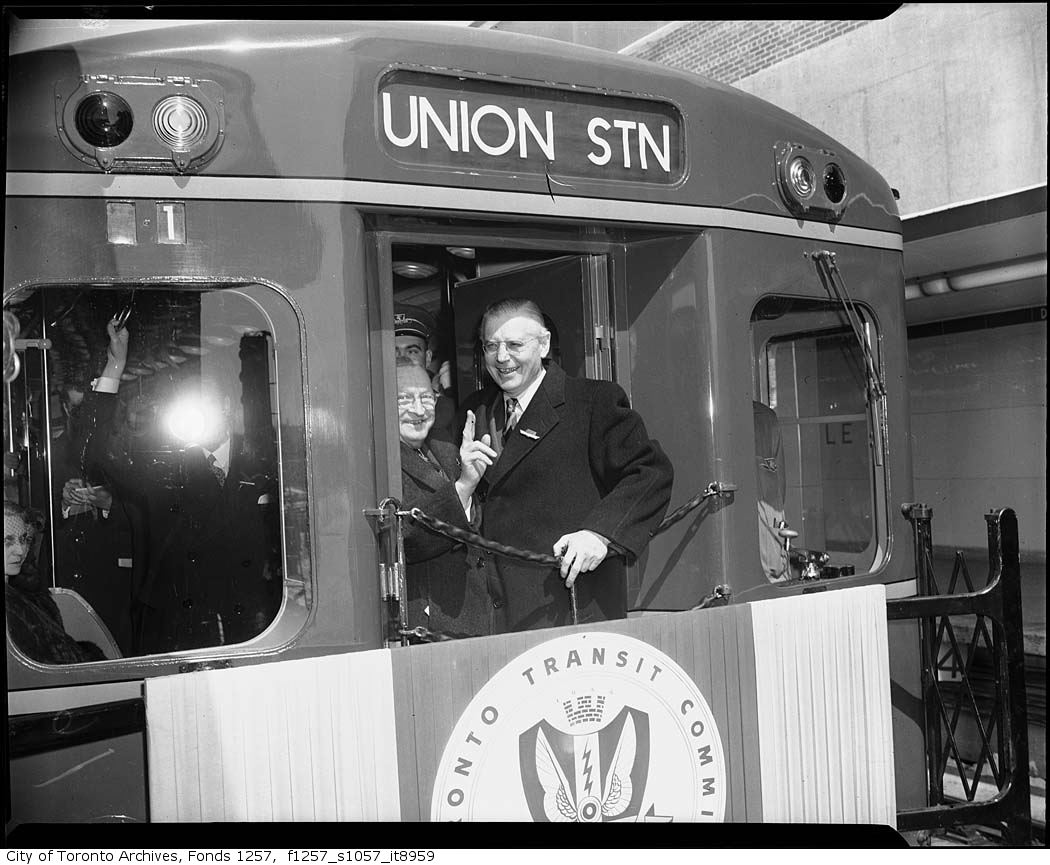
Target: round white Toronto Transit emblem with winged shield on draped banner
(590, 728)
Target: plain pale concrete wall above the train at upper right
(948, 101)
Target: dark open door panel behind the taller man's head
(570, 290)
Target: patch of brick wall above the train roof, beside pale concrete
(730, 51)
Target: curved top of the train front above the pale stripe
(301, 101)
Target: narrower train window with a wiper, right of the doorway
(817, 452)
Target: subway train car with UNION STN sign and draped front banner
(255, 203)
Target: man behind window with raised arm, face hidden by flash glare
(213, 572)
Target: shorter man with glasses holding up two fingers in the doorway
(448, 587)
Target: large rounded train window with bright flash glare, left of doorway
(156, 450)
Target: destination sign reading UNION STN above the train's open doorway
(447, 122)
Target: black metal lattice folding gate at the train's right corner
(950, 698)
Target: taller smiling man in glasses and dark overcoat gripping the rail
(577, 475)
